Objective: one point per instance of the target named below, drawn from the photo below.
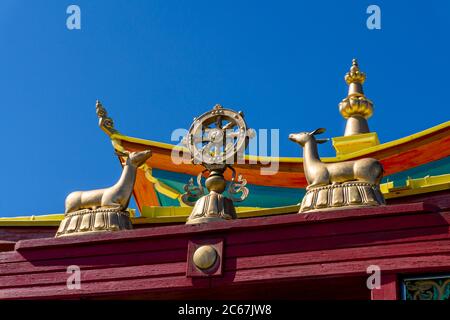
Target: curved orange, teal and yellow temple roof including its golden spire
(413, 165)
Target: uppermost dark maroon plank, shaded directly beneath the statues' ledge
(248, 240)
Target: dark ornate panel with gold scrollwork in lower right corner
(437, 288)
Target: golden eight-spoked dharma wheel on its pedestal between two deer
(216, 139)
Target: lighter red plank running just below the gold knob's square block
(271, 274)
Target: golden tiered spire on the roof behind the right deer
(356, 108)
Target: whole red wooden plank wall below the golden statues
(308, 256)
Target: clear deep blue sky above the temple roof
(157, 64)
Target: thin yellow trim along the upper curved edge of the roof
(118, 136)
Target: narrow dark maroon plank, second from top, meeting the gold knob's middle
(242, 250)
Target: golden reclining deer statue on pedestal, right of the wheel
(347, 183)
